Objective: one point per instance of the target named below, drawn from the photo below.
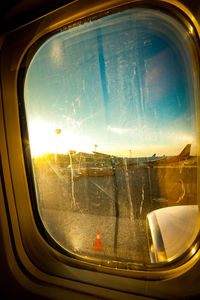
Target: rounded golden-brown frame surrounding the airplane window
(48, 265)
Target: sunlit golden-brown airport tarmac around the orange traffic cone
(73, 210)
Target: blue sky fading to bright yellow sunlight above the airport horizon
(123, 83)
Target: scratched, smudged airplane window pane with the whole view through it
(111, 116)
